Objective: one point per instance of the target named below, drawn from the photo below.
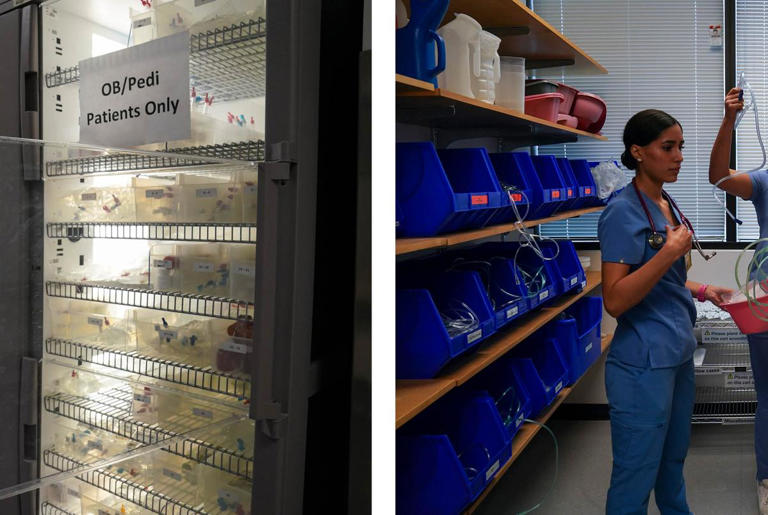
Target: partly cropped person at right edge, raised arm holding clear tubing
(752, 187)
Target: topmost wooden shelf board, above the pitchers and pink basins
(542, 42)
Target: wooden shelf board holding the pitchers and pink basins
(450, 110)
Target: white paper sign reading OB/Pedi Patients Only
(138, 95)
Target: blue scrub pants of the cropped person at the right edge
(758, 353)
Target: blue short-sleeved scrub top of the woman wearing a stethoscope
(658, 331)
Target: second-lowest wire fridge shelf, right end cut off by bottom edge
(131, 491)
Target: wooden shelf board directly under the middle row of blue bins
(418, 395)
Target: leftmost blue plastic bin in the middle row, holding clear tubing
(423, 344)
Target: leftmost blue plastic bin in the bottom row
(447, 456)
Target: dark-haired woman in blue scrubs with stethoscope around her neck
(649, 375)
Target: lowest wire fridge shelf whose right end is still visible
(120, 422)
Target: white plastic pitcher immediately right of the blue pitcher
(461, 50)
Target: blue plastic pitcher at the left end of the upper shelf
(418, 42)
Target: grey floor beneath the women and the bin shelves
(719, 472)
